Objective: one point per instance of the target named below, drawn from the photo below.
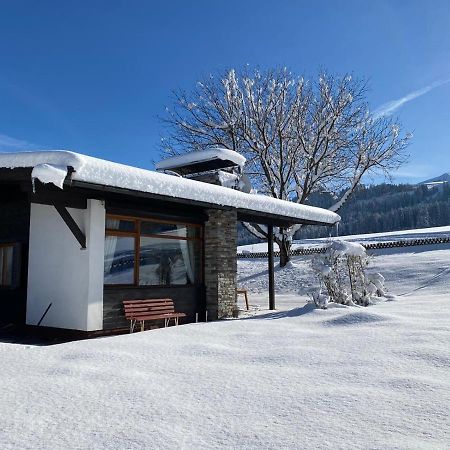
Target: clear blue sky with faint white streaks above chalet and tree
(94, 76)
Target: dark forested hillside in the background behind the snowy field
(384, 207)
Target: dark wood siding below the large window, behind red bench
(187, 299)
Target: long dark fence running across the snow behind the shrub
(371, 246)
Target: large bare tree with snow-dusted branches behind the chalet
(298, 136)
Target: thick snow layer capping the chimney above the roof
(201, 156)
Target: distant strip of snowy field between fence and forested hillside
(391, 236)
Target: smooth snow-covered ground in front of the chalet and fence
(346, 377)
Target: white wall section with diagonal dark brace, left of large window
(61, 273)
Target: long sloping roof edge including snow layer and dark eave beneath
(104, 176)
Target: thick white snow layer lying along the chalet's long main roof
(47, 167)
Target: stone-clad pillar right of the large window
(220, 263)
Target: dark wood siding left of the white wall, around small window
(15, 229)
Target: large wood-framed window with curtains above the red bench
(144, 252)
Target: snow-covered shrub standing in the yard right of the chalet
(342, 274)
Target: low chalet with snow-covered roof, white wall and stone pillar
(78, 235)
